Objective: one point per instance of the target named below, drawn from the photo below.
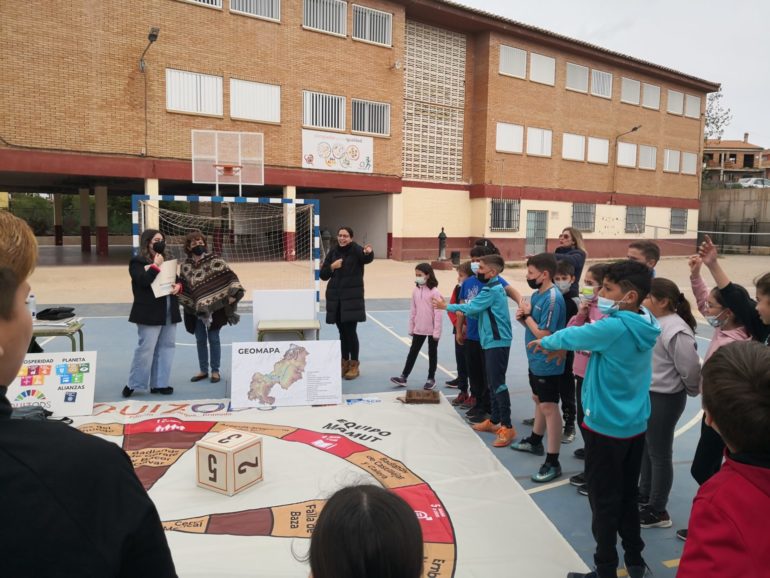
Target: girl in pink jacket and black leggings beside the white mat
(424, 322)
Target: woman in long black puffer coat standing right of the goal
(344, 269)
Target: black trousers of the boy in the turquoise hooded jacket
(612, 473)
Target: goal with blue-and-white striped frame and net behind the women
(269, 243)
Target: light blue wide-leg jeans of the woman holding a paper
(151, 366)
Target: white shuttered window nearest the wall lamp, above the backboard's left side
(193, 92)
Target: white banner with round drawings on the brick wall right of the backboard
(337, 152)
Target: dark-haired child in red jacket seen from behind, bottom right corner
(727, 535)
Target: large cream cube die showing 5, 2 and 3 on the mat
(229, 461)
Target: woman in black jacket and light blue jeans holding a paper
(155, 318)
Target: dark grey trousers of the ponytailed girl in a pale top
(657, 465)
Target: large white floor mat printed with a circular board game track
(476, 519)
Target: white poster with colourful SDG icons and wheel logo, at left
(63, 383)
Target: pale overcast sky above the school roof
(724, 42)
